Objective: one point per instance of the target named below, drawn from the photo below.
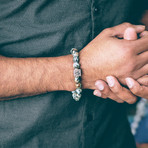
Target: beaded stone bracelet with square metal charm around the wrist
(76, 94)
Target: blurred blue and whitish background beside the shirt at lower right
(138, 118)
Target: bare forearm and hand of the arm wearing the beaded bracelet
(21, 77)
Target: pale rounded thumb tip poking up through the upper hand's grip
(130, 34)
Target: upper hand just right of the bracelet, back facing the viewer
(107, 55)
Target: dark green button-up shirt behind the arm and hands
(48, 28)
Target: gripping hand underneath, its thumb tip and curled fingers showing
(117, 92)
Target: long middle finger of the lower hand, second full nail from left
(120, 91)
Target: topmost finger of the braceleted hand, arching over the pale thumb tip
(120, 29)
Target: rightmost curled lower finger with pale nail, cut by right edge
(136, 88)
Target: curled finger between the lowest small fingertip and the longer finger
(106, 92)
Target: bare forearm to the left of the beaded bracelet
(21, 77)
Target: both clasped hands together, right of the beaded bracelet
(114, 59)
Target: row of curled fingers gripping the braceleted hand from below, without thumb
(115, 91)
